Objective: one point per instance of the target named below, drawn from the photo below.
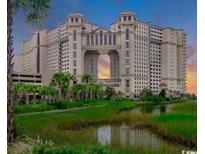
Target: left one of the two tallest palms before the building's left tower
(58, 79)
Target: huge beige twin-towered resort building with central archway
(141, 54)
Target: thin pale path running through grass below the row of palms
(62, 110)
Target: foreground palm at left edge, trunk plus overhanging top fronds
(35, 11)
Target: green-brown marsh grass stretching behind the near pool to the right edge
(179, 124)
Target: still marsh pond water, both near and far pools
(125, 136)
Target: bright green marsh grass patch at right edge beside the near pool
(180, 124)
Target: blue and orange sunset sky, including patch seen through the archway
(167, 13)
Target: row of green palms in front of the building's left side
(63, 86)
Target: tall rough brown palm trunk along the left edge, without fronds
(10, 119)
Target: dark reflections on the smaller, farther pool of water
(156, 110)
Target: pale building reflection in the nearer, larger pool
(124, 136)
